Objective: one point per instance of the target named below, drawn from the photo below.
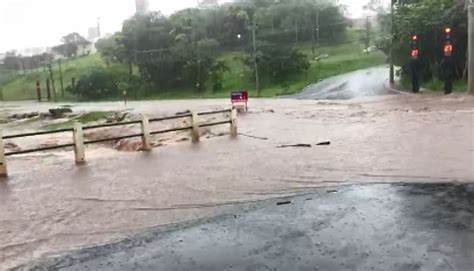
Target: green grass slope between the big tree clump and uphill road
(342, 59)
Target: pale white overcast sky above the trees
(36, 23)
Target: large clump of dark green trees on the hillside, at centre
(182, 50)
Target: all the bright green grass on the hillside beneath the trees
(342, 58)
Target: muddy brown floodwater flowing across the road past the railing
(49, 205)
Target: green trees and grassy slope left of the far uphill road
(206, 52)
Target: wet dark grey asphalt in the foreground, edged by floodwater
(399, 227)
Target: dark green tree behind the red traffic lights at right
(426, 18)
